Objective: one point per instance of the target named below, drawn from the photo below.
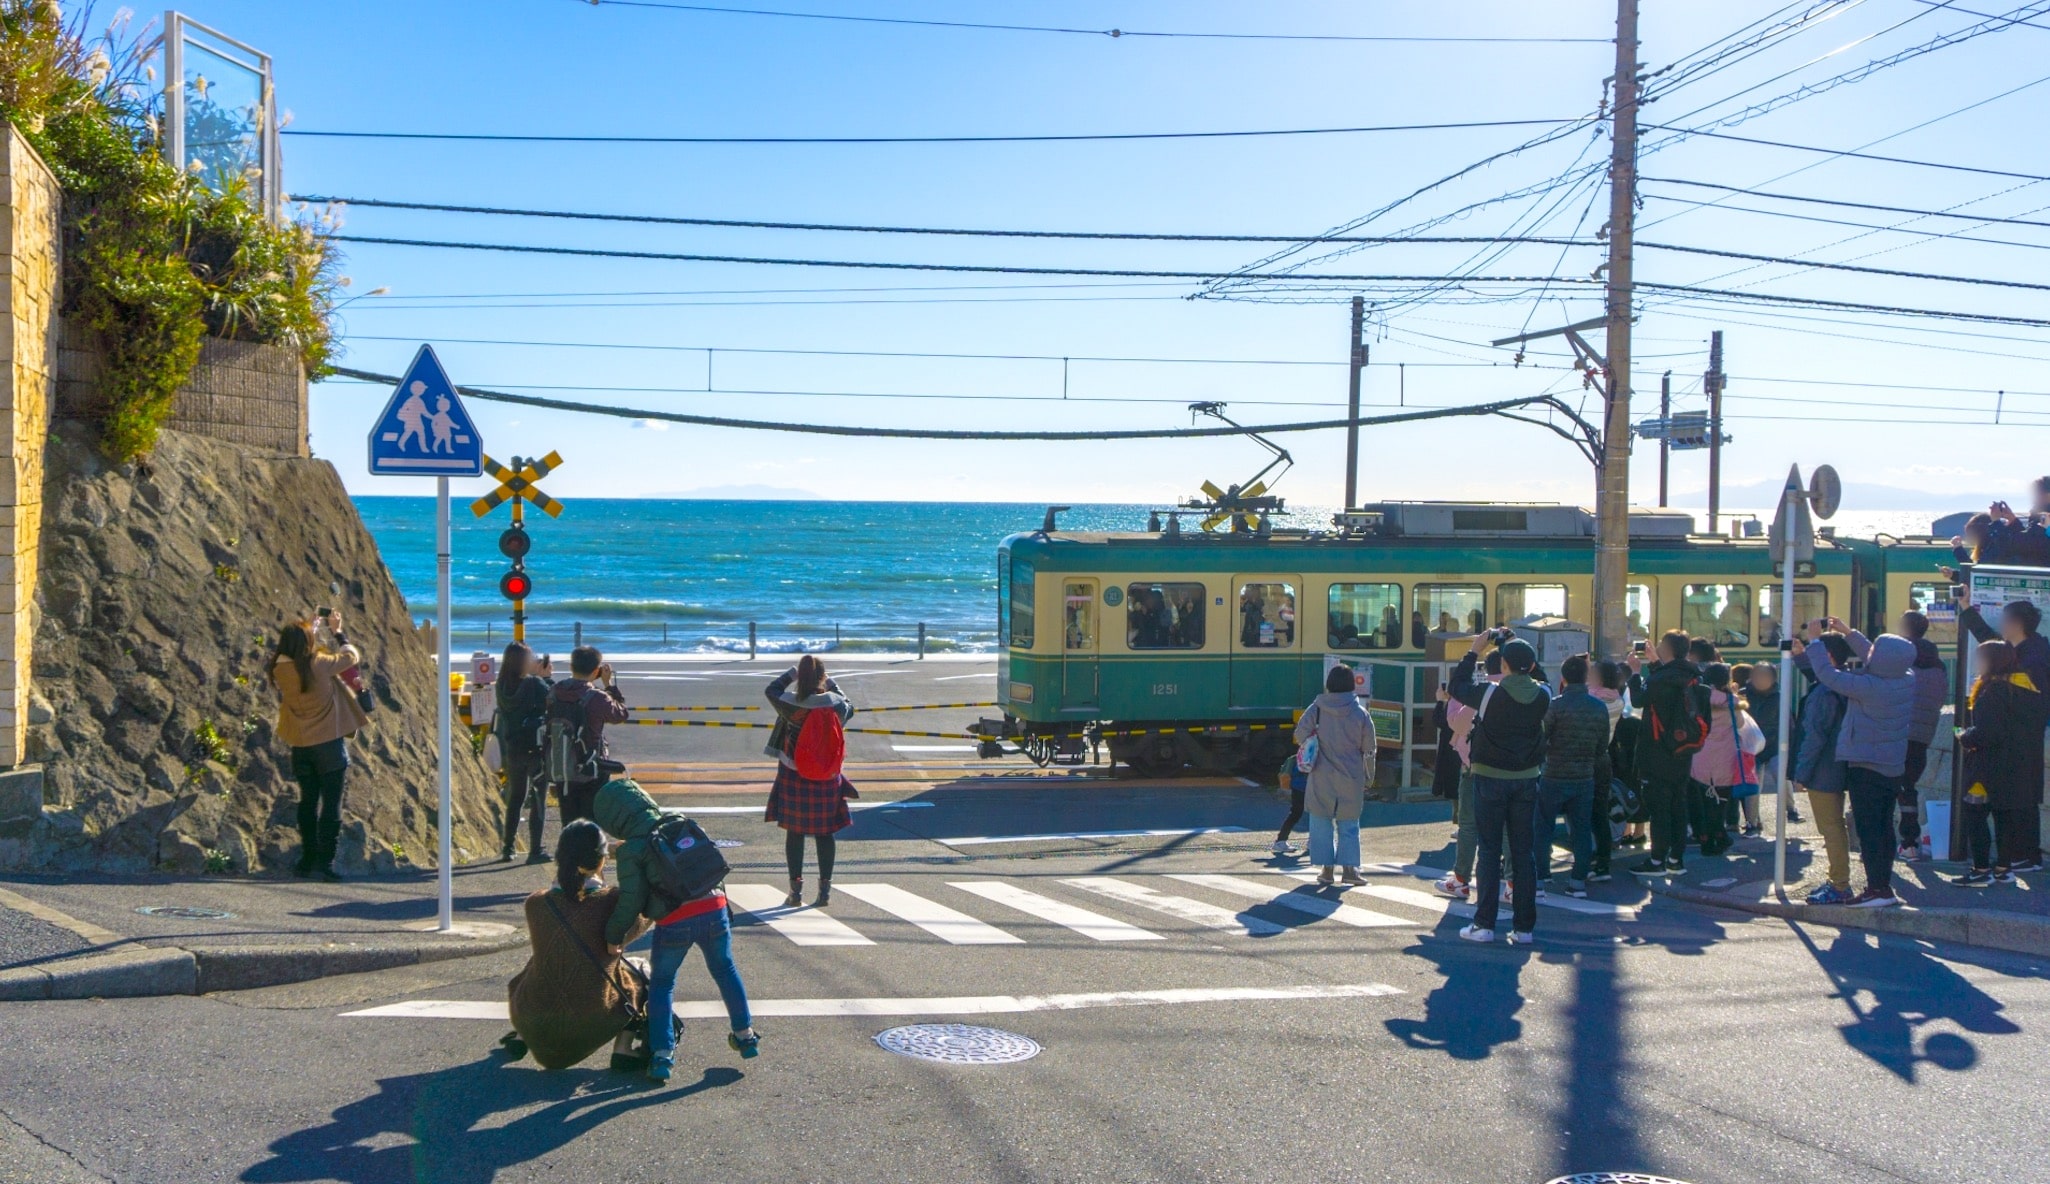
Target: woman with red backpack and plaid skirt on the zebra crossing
(811, 794)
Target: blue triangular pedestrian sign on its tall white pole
(425, 433)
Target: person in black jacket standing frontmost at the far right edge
(2004, 767)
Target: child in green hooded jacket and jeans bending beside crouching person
(671, 874)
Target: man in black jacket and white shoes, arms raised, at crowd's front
(1508, 749)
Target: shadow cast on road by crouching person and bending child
(440, 1126)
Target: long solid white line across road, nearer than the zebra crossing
(928, 1007)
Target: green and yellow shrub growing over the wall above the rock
(155, 257)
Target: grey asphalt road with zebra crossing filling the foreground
(1705, 1048)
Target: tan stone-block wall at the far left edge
(30, 271)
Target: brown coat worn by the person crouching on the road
(563, 1005)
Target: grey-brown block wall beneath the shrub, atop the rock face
(241, 392)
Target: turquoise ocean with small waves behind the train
(680, 577)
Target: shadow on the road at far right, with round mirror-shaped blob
(1910, 990)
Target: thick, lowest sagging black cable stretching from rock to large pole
(483, 394)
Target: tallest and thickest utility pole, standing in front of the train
(1612, 495)
